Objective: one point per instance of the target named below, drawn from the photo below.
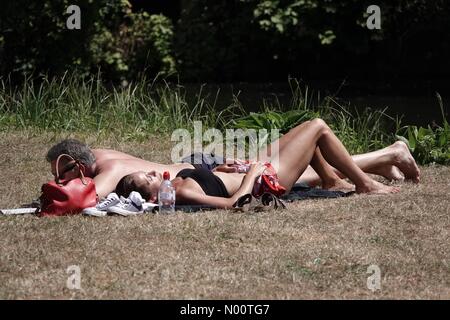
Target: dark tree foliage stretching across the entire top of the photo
(228, 40)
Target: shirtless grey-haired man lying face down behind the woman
(107, 166)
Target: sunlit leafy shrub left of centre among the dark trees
(141, 45)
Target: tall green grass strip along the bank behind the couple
(147, 108)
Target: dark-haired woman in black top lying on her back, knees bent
(297, 149)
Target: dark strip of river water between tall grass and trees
(418, 106)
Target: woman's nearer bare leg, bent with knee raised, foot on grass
(293, 158)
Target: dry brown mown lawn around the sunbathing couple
(315, 249)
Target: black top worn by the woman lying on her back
(210, 183)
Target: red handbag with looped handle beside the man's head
(63, 197)
